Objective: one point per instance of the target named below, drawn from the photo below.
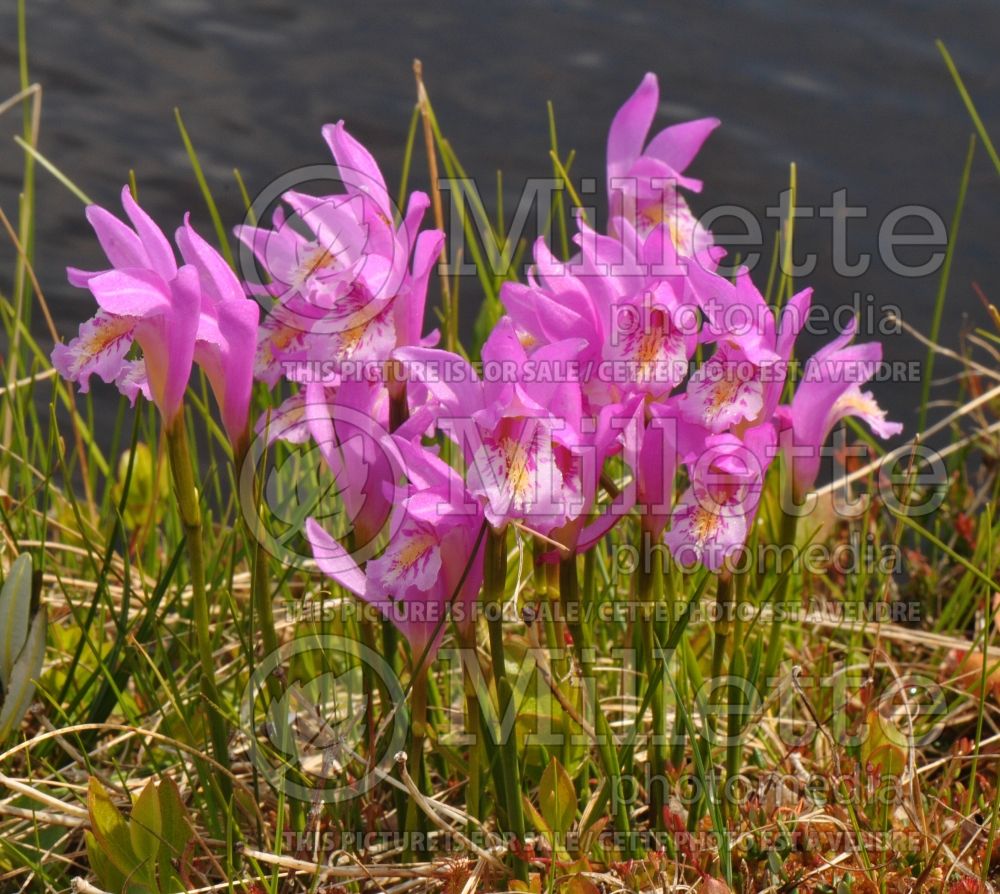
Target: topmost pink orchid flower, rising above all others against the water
(643, 179)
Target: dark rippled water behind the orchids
(854, 92)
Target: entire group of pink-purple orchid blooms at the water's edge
(634, 349)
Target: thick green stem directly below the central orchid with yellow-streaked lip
(509, 789)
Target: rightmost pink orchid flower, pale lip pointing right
(828, 392)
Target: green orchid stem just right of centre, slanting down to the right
(583, 643)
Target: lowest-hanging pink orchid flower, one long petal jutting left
(431, 557)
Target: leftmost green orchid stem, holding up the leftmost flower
(190, 510)
